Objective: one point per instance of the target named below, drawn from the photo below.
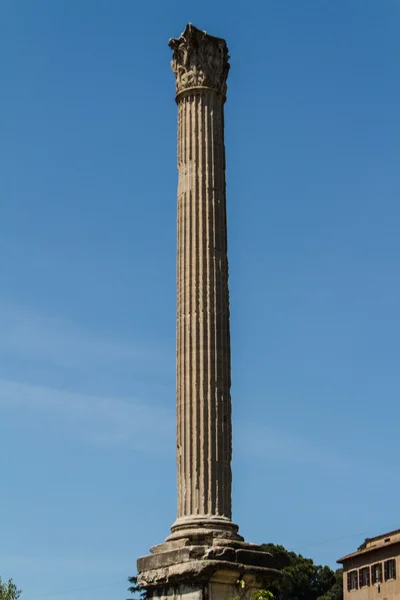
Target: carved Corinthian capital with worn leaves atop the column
(199, 61)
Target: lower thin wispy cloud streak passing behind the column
(116, 421)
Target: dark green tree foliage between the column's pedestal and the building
(302, 579)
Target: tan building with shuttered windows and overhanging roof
(372, 573)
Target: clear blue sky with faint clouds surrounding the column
(87, 265)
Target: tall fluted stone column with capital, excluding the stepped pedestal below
(204, 437)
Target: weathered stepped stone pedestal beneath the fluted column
(189, 565)
